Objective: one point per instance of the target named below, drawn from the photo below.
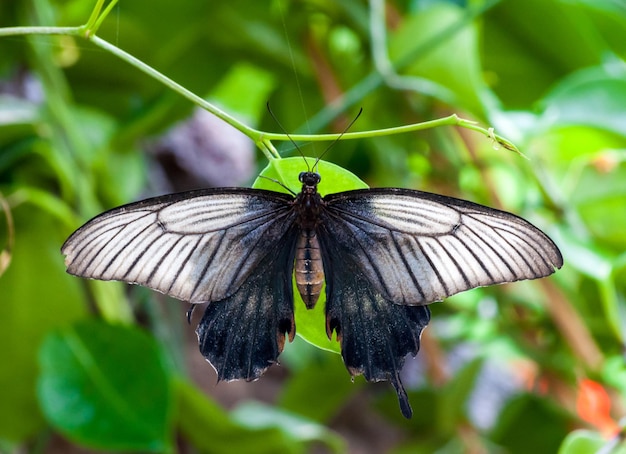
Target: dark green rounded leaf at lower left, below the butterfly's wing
(106, 387)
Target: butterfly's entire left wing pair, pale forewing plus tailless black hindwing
(233, 248)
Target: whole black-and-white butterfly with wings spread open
(384, 254)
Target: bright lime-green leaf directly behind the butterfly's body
(310, 324)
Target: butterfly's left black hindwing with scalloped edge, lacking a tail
(242, 335)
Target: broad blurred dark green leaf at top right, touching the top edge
(527, 47)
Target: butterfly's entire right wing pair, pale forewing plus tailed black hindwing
(389, 252)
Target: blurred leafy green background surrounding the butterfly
(529, 366)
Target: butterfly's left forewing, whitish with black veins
(197, 246)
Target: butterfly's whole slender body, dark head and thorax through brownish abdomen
(308, 267)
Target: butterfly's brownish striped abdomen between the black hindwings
(309, 269)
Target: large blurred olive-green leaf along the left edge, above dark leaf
(36, 295)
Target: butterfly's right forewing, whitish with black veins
(417, 247)
